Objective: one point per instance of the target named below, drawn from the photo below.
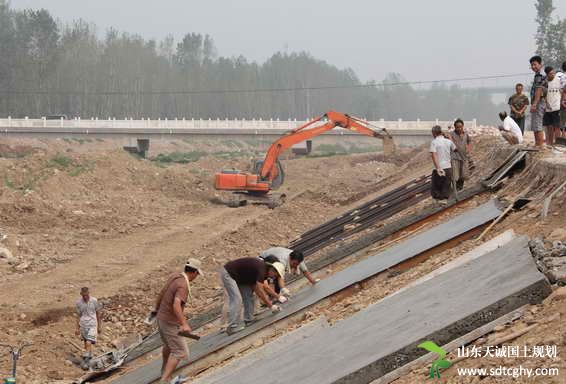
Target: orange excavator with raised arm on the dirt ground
(268, 175)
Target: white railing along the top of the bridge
(205, 123)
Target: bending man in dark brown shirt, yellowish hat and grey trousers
(242, 278)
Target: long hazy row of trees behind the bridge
(47, 67)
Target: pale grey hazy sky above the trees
(434, 39)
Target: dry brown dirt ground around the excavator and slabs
(89, 214)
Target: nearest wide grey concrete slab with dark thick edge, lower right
(385, 335)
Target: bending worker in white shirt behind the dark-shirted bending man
(293, 261)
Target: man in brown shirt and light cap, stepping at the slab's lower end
(171, 320)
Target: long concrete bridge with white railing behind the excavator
(405, 133)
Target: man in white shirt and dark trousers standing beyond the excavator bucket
(440, 148)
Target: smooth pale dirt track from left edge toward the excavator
(110, 265)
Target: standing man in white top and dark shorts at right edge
(551, 119)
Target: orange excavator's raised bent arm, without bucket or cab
(269, 170)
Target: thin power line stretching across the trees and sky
(258, 90)
